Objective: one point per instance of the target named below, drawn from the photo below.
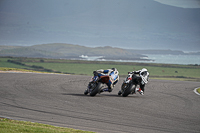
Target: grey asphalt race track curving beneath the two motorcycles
(166, 107)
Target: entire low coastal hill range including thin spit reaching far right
(70, 51)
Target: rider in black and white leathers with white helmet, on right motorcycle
(142, 73)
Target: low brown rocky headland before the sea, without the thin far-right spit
(68, 51)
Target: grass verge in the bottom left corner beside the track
(14, 126)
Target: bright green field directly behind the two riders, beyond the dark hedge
(82, 68)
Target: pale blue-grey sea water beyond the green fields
(164, 59)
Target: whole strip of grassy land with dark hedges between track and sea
(79, 67)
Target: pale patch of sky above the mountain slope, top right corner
(181, 3)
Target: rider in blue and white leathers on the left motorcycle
(113, 77)
